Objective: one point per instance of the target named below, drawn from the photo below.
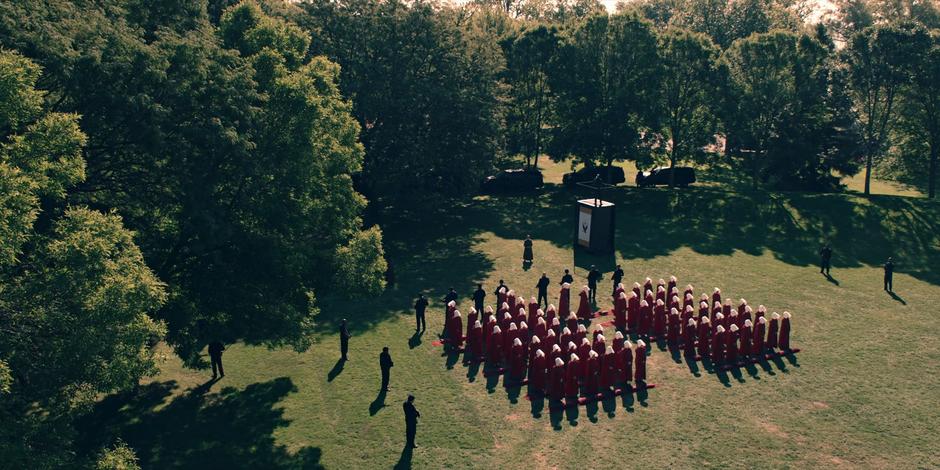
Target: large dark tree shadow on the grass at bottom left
(230, 429)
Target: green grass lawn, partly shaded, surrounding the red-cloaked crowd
(862, 393)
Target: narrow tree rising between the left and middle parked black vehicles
(528, 63)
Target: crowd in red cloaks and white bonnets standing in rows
(558, 358)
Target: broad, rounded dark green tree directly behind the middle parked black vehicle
(606, 88)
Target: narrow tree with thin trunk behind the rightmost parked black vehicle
(688, 83)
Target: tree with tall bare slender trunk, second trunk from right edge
(880, 60)
